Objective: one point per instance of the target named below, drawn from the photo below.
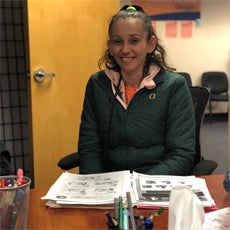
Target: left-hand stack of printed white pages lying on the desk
(89, 189)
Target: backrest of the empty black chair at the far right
(216, 81)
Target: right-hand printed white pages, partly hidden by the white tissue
(155, 190)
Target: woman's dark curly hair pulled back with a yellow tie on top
(158, 54)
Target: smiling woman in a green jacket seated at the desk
(138, 114)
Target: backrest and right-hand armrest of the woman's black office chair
(200, 96)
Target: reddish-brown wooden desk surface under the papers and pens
(39, 217)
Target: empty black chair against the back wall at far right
(217, 82)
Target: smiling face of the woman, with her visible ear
(129, 46)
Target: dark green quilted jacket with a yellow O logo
(153, 134)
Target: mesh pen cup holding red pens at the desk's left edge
(14, 202)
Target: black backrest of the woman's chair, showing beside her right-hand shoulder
(200, 96)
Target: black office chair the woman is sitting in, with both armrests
(200, 96)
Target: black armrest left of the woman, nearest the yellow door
(70, 161)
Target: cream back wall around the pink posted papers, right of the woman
(209, 47)
